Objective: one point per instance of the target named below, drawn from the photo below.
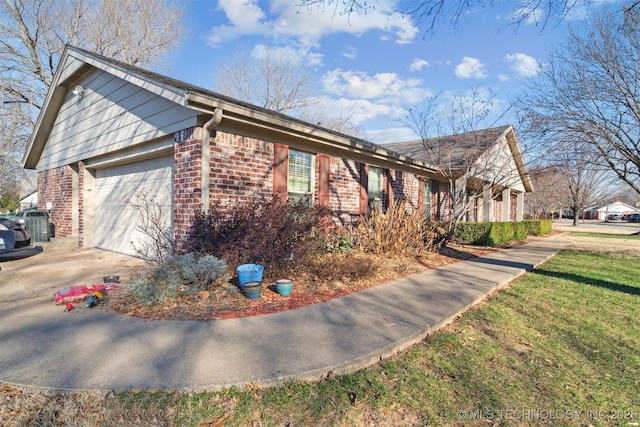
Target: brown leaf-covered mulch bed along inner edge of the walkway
(341, 274)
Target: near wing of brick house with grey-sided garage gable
(109, 131)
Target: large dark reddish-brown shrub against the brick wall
(278, 235)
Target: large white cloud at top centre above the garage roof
(308, 26)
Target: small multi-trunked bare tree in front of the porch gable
(470, 160)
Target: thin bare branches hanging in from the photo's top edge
(429, 13)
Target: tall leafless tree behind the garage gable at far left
(35, 32)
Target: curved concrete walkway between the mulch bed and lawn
(42, 346)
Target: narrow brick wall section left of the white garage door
(56, 186)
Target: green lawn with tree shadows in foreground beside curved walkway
(561, 346)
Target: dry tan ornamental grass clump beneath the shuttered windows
(397, 232)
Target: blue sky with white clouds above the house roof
(378, 64)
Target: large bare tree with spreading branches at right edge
(590, 90)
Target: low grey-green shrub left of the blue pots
(182, 275)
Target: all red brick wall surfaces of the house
(241, 169)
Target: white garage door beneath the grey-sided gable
(116, 190)
